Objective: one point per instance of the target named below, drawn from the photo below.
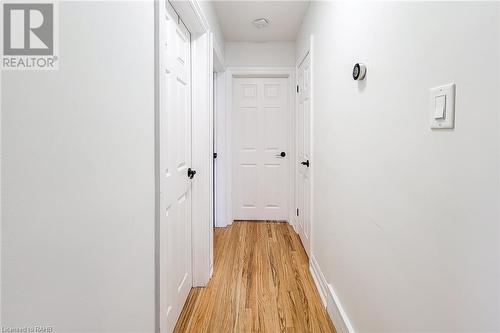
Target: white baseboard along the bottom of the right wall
(330, 300)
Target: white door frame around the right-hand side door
(308, 51)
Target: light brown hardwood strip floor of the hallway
(261, 283)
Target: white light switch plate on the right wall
(448, 121)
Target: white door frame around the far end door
(283, 72)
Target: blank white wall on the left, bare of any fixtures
(78, 193)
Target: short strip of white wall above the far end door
(260, 54)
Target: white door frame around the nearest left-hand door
(202, 46)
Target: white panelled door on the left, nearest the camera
(175, 160)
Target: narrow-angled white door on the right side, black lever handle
(304, 153)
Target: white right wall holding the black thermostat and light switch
(406, 224)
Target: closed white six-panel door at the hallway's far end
(260, 138)
